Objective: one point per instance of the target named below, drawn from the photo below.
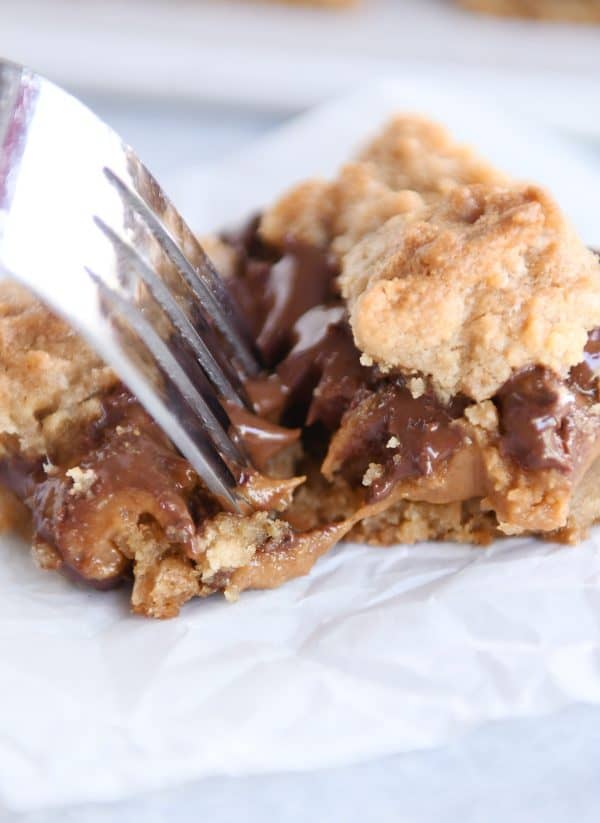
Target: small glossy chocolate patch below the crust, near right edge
(535, 409)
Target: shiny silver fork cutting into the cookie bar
(87, 228)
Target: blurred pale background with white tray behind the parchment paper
(187, 81)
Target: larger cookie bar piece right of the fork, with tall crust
(466, 326)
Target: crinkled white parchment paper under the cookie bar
(376, 651)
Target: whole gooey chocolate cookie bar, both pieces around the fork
(430, 334)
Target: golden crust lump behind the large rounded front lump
(409, 163)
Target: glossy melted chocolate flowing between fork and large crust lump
(302, 328)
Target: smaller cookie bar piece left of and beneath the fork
(109, 498)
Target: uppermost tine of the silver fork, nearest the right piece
(150, 203)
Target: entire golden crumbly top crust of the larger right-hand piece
(448, 268)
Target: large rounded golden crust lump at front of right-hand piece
(473, 287)
